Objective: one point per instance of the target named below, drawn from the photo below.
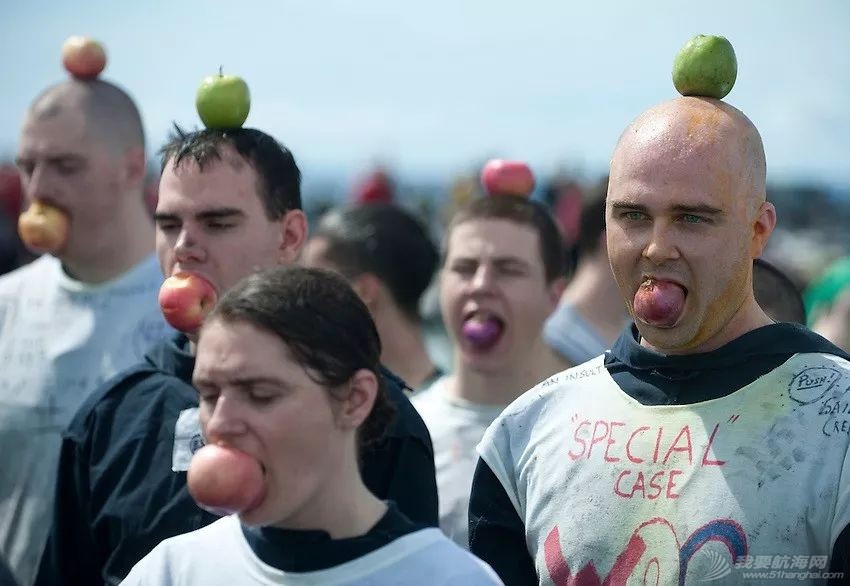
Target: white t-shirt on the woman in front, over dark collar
(219, 554)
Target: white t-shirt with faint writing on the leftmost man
(59, 340)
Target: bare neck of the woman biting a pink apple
(344, 508)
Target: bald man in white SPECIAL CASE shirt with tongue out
(709, 442)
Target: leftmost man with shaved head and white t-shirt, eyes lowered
(74, 318)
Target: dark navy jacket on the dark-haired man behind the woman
(117, 496)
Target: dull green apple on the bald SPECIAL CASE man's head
(706, 66)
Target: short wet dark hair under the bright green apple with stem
(279, 177)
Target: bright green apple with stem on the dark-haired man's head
(223, 101)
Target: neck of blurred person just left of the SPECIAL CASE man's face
(594, 294)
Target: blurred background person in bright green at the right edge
(827, 301)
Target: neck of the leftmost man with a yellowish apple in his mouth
(133, 228)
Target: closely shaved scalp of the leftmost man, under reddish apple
(111, 116)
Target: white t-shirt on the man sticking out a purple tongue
(456, 427)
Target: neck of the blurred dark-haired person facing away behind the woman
(404, 350)
